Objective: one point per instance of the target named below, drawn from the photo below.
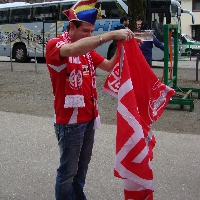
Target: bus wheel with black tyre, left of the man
(20, 54)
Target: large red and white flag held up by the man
(141, 101)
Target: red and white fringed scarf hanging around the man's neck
(74, 79)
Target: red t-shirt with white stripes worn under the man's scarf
(58, 68)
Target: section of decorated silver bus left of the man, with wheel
(25, 28)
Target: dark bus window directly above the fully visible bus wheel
(20, 15)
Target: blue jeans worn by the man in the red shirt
(76, 143)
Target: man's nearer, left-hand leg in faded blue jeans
(70, 140)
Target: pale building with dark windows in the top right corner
(188, 28)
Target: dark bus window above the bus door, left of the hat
(45, 13)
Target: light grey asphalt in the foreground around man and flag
(29, 157)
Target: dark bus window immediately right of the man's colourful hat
(110, 9)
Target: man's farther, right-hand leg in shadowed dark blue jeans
(84, 160)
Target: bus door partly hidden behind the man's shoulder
(50, 30)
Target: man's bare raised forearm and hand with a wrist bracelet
(87, 44)
